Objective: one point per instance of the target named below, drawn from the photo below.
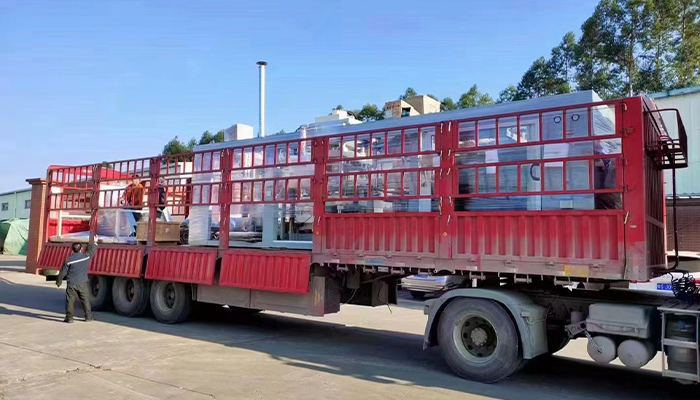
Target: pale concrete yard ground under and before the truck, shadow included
(359, 353)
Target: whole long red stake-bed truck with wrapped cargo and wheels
(521, 199)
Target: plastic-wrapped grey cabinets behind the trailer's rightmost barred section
(536, 173)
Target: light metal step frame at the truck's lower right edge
(677, 349)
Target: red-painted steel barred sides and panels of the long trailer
(610, 244)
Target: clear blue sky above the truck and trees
(86, 81)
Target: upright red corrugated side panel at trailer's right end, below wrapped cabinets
(593, 239)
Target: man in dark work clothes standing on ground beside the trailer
(74, 271)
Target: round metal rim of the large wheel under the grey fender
(475, 338)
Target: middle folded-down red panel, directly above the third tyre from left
(177, 264)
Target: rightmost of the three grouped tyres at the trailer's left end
(171, 302)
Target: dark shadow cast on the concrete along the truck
(376, 356)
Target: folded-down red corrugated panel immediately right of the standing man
(118, 260)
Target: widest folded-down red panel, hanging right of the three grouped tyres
(282, 271)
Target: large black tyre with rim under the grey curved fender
(479, 340)
